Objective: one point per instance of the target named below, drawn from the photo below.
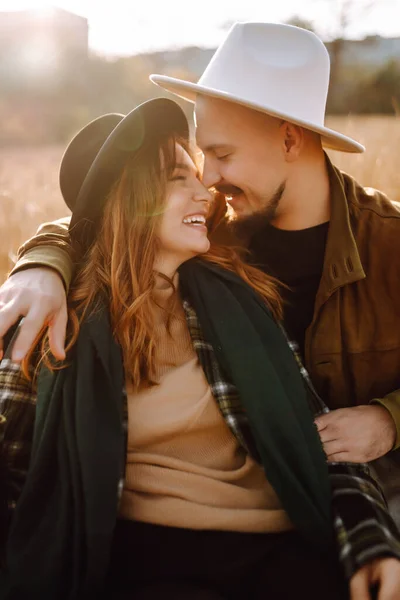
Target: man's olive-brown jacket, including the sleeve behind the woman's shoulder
(352, 348)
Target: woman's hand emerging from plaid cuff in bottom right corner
(384, 574)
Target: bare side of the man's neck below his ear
(306, 201)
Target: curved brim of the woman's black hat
(153, 120)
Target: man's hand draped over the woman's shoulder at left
(38, 295)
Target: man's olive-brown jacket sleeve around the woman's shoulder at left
(49, 247)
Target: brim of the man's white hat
(188, 91)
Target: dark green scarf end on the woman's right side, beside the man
(255, 356)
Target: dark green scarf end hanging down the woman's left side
(63, 522)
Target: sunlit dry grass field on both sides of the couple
(29, 191)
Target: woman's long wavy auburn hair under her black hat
(119, 265)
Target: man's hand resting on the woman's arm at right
(357, 434)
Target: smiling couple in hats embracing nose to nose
(172, 447)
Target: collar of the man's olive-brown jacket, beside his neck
(342, 263)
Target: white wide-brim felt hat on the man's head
(277, 69)
